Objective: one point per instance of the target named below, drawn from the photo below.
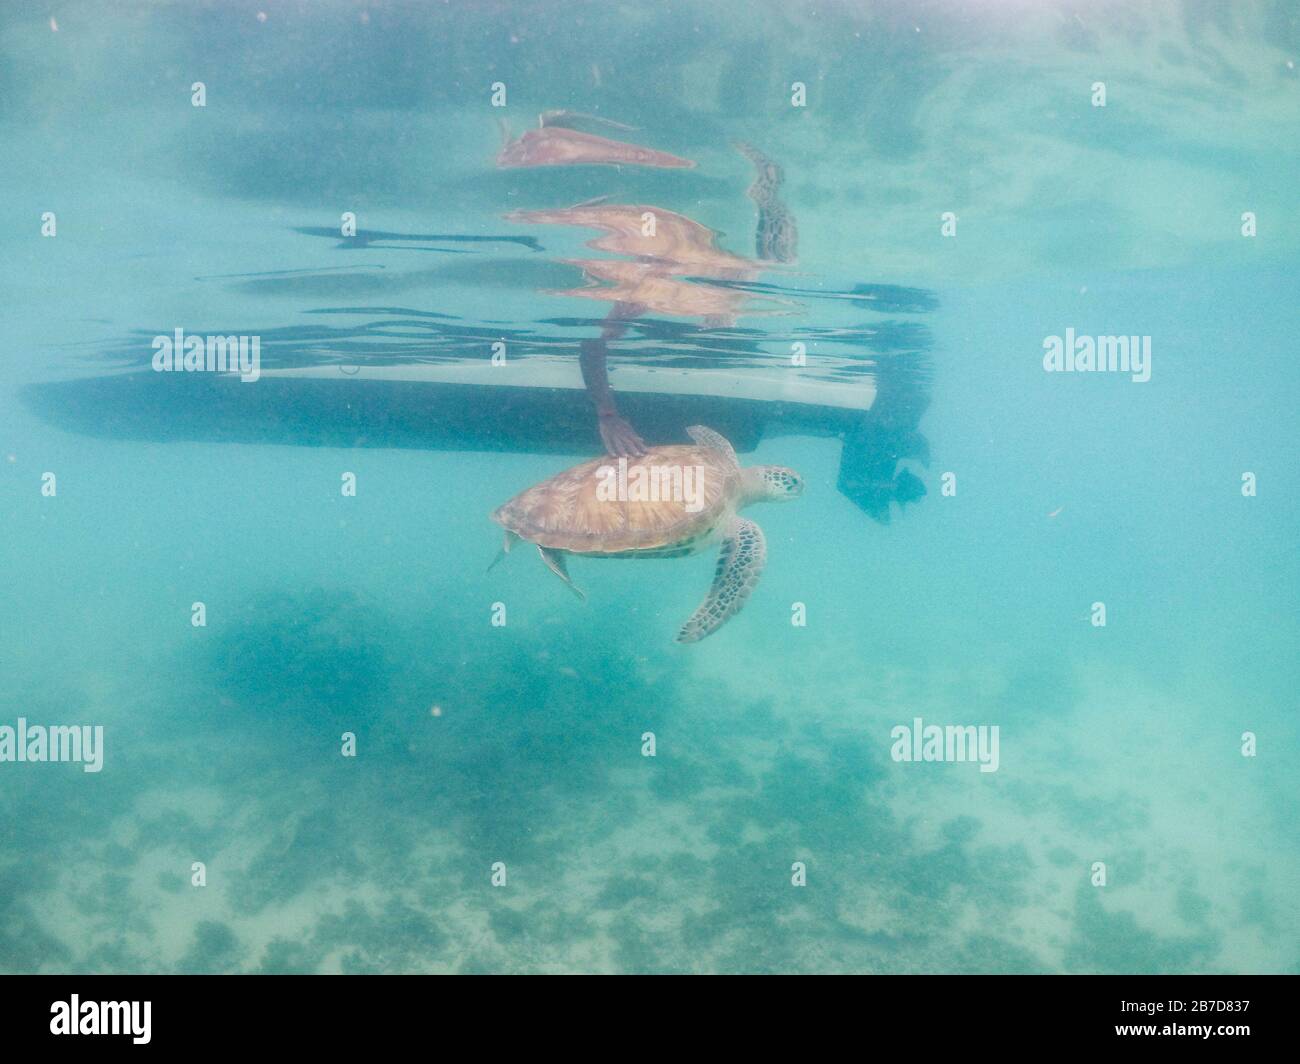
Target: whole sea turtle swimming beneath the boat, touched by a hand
(669, 503)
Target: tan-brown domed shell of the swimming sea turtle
(595, 509)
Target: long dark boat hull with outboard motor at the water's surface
(400, 378)
